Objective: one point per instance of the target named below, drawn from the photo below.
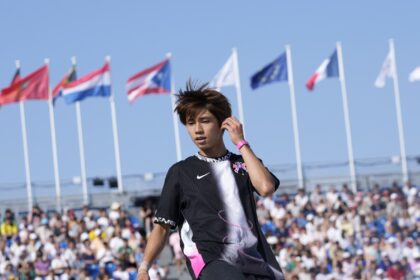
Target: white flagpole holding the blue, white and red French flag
(346, 118)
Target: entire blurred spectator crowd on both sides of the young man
(332, 234)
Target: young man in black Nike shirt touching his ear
(210, 197)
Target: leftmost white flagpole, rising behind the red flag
(25, 150)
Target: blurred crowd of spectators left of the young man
(78, 244)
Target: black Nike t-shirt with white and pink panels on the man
(212, 203)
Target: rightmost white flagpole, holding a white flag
(399, 114)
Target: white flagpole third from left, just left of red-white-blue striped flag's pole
(81, 146)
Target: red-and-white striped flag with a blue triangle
(155, 79)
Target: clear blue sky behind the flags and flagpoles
(200, 35)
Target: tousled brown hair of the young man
(197, 97)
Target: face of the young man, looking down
(204, 130)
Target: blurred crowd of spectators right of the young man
(339, 234)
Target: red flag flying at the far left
(35, 86)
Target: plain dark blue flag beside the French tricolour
(276, 71)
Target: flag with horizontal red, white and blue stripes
(96, 83)
